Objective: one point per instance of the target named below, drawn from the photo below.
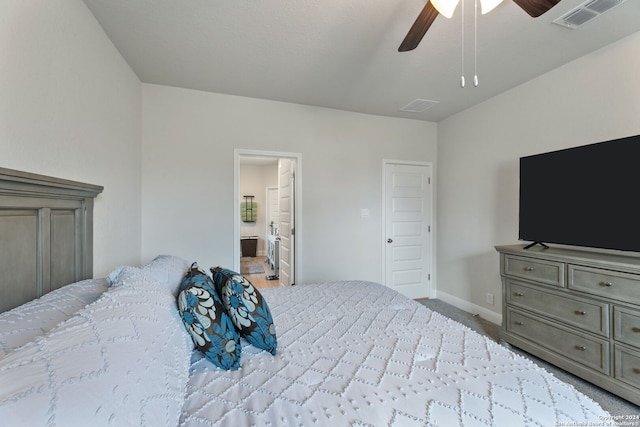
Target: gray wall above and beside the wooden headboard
(70, 108)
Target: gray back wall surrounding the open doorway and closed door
(188, 146)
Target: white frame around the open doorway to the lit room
(238, 153)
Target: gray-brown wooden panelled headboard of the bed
(46, 234)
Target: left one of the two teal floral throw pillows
(203, 314)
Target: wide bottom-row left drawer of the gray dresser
(588, 351)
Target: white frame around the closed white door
(385, 164)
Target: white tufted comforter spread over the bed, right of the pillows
(360, 354)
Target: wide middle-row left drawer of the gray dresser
(592, 316)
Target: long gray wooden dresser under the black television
(579, 310)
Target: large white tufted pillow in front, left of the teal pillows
(122, 360)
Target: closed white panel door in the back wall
(408, 229)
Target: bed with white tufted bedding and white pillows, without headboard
(115, 351)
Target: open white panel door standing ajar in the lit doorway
(286, 194)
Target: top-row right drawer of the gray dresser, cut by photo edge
(606, 283)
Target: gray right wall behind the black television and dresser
(592, 99)
